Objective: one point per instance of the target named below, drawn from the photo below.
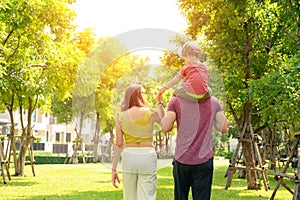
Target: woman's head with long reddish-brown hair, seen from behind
(133, 97)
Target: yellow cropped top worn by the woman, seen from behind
(137, 130)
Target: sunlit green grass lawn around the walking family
(93, 181)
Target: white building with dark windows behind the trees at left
(55, 138)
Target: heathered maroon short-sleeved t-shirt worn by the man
(194, 128)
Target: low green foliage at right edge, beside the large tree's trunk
(278, 93)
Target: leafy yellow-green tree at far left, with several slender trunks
(37, 60)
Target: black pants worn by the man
(198, 177)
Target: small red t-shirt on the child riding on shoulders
(196, 77)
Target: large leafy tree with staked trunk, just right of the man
(246, 40)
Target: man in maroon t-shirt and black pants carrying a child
(193, 159)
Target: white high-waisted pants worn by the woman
(139, 173)
